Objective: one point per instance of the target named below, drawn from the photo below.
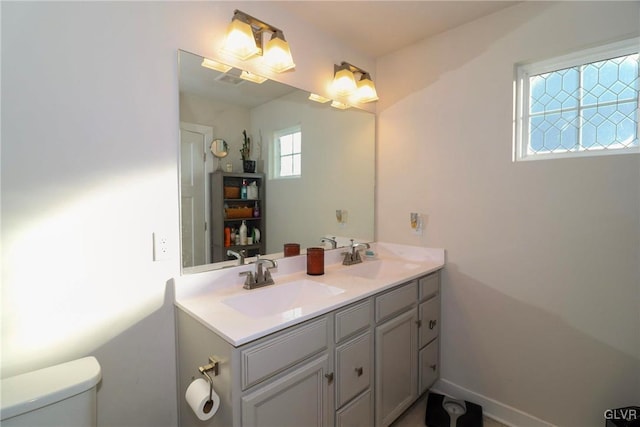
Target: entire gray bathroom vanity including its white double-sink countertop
(353, 347)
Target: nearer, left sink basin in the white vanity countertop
(286, 299)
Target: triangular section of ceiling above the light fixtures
(377, 28)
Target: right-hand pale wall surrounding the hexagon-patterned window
(541, 290)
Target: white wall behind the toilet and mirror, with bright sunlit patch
(89, 172)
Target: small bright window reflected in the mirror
(287, 153)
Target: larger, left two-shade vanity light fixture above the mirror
(244, 41)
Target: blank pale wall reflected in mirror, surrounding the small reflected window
(337, 172)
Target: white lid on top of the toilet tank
(33, 390)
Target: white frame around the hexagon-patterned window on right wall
(524, 71)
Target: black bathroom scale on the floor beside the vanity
(443, 411)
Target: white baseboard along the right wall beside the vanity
(500, 412)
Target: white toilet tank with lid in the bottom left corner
(61, 395)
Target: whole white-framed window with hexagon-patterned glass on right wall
(581, 104)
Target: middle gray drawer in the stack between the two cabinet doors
(354, 368)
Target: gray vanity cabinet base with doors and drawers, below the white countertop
(358, 366)
